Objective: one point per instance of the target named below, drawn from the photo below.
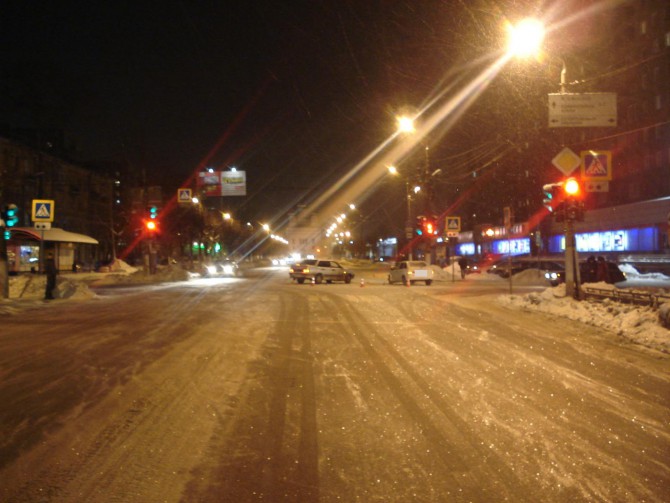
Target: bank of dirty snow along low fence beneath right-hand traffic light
(640, 325)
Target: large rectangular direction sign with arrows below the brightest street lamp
(582, 110)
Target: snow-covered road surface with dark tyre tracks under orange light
(259, 389)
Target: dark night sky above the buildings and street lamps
(293, 92)
